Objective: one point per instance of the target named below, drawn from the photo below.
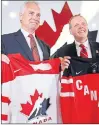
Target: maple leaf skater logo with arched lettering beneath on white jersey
(36, 112)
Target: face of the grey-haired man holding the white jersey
(30, 19)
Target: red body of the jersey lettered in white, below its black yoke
(80, 108)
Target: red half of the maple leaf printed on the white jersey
(27, 108)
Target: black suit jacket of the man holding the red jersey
(70, 50)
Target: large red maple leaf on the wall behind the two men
(46, 33)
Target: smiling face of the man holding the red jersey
(79, 28)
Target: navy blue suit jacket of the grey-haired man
(16, 43)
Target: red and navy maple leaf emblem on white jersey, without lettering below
(33, 110)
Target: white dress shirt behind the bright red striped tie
(87, 46)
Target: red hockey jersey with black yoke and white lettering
(79, 96)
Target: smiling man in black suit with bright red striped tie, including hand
(82, 46)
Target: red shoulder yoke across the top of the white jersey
(18, 62)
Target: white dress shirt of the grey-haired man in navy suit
(25, 33)
